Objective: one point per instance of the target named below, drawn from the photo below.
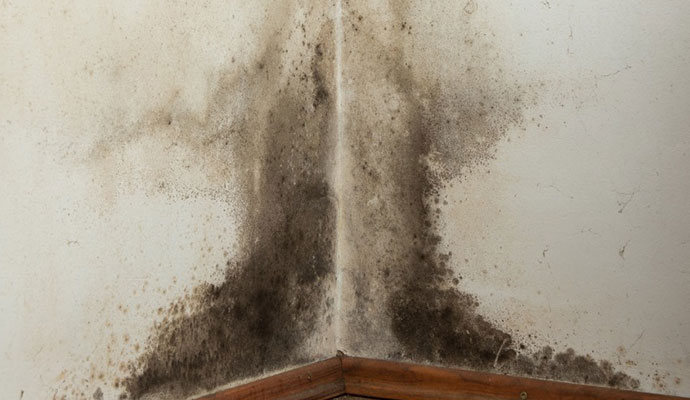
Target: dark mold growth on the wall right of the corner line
(419, 132)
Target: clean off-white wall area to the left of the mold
(88, 254)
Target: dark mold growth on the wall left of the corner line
(276, 292)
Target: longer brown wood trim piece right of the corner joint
(404, 381)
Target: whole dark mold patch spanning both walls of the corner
(341, 177)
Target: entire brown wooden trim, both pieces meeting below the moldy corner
(405, 381)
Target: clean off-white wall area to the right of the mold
(582, 225)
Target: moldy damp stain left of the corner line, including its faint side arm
(267, 130)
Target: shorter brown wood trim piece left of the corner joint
(318, 381)
